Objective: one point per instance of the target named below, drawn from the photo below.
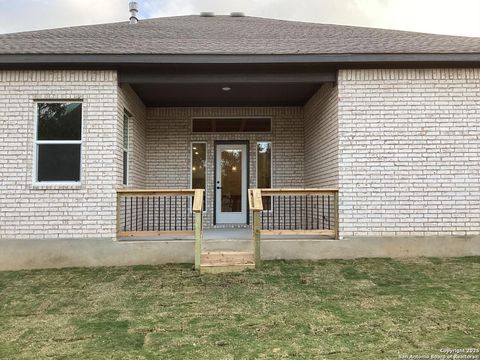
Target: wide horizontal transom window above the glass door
(231, 125)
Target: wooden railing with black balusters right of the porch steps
(293, 212)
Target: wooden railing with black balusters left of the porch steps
(159, 212)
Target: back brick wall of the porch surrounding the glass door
(169, 137)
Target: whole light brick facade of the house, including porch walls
(401, 145)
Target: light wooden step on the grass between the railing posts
(226, 261)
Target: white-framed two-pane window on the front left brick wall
(58, 141)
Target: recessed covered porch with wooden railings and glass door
(228, 132)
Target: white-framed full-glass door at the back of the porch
(231, 184)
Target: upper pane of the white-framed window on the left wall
(60, 121)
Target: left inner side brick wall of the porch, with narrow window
(129, 100)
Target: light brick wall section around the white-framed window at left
(88, 210)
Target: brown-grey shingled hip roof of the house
(225, 35)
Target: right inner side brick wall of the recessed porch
(321, 138)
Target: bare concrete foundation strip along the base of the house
(55, 253)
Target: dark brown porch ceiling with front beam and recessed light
(248, 86)
